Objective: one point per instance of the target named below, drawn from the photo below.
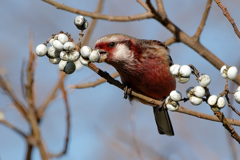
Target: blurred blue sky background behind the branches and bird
(100, 117)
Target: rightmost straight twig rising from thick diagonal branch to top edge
(202, 23)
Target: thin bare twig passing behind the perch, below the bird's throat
(95, 83)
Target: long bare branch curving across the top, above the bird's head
(100, 16)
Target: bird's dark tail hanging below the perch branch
(163, 121)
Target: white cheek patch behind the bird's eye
(122, 53)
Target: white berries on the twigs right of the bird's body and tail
(196, 94)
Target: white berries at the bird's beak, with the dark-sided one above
(64, 51)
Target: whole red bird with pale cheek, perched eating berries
(143, 65)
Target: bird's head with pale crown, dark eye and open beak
(115, 48)
